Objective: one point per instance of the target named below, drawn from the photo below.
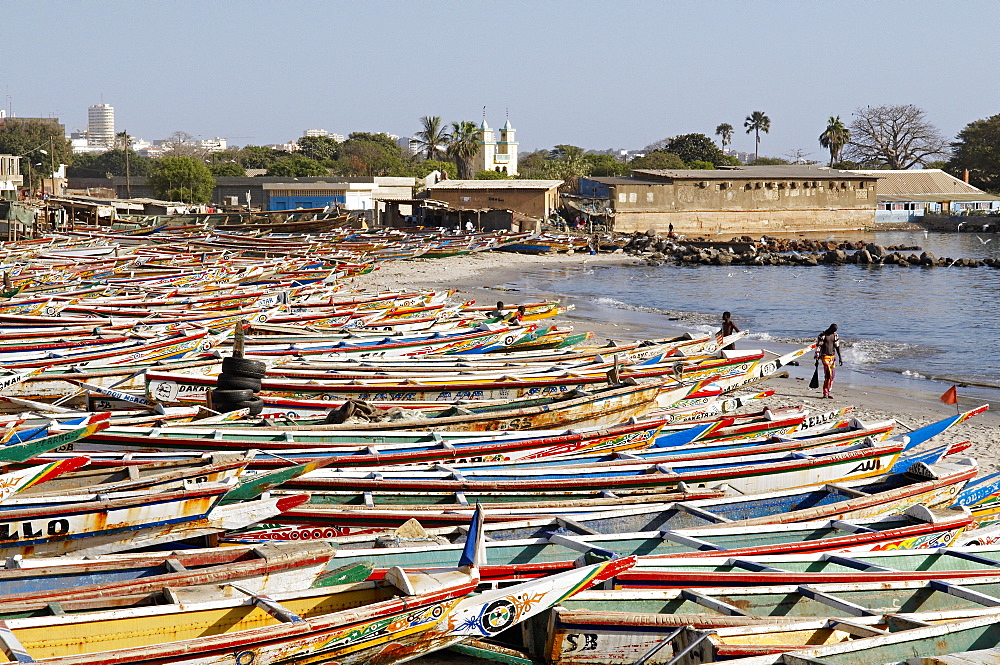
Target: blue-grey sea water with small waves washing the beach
(897, 323)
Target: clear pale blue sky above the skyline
(588, 73)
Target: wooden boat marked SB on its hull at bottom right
(620, 626)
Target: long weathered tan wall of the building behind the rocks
(744, 206)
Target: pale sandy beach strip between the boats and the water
(491, 276)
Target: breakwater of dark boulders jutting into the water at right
(656, 250)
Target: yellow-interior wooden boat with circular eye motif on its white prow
(405, 615)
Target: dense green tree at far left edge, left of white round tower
(40, 144)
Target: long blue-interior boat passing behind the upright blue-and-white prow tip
(937, 486)
